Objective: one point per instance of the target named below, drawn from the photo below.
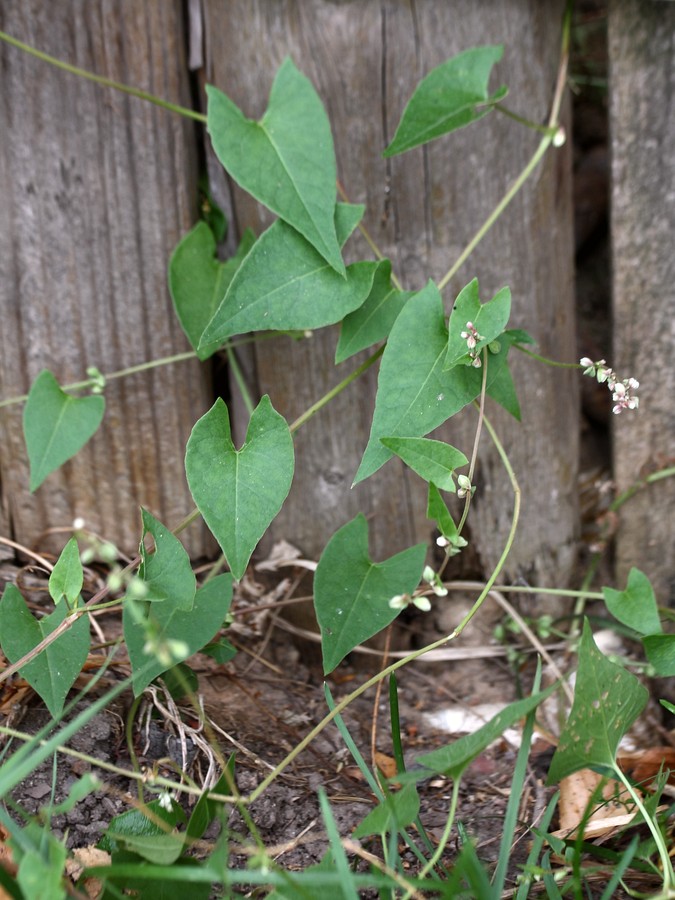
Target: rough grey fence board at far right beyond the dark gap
(642, 119)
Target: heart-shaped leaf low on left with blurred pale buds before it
(189, 629)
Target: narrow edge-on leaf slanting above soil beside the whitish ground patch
(453, 759)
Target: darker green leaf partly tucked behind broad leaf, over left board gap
(198, 281)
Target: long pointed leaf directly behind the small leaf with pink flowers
(414, 394)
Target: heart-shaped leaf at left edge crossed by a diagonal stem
(53, 672)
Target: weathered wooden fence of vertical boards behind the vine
(97, 187)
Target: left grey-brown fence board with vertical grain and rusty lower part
(96, 189)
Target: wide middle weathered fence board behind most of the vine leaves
(364, 59)
